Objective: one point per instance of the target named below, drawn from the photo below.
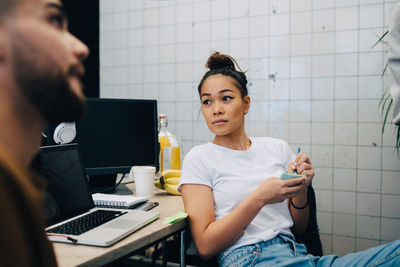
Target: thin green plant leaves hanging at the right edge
(386, 101)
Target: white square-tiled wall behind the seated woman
(314, 80)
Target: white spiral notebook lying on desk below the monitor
(117, 201)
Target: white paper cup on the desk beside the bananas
(144, 180)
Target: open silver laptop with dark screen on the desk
(70, 214)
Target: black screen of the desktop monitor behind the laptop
(116, 134)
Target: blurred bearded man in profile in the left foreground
(40, 72)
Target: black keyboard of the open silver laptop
(85, 223)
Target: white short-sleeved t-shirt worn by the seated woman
(233, 174)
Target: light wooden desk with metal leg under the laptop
(79, 255)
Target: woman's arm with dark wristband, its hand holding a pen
(298, 205)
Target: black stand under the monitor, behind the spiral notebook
(106, 183)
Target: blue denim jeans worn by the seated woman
(284, 251)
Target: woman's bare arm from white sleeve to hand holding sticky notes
(212, 236)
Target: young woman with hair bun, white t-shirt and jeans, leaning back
(238, 208)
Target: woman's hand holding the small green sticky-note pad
(275, 190)
